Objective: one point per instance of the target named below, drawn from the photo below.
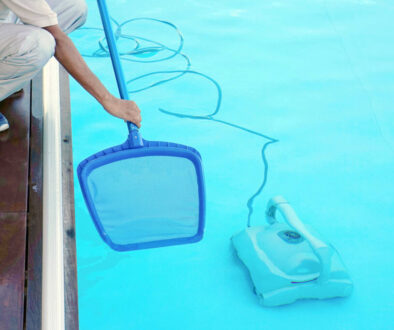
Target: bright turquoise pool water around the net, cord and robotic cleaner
(316, 75)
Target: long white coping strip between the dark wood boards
(52, 260)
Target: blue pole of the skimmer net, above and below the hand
(115, 59)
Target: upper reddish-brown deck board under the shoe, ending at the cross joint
(14, 151)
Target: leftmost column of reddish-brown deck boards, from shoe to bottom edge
(14, 165)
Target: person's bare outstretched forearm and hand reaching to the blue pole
(67, 54)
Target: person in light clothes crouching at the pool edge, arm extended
(31, 32)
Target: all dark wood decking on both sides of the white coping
(21, 223)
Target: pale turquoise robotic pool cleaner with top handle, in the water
(286, 262)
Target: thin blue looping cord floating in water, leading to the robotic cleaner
(140, 54)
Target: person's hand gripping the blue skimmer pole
(124, 109)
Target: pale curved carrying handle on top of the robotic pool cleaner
(321, 249)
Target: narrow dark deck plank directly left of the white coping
(35, 220)
